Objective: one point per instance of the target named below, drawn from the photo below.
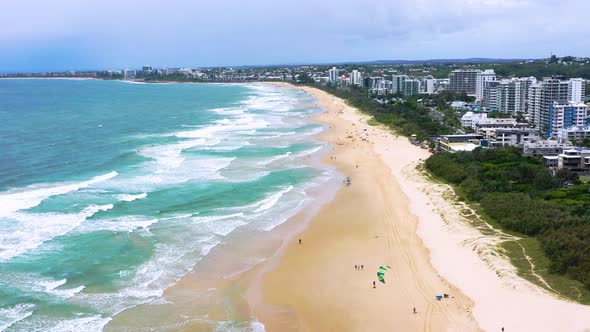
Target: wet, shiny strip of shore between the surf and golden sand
(210, 295)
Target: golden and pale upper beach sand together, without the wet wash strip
(430, 246)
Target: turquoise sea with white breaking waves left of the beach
(111, 191)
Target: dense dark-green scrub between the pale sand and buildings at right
(525, 198)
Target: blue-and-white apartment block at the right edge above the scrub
(566, 115)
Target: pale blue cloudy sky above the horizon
(52, 35)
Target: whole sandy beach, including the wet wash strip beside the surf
(315, 287)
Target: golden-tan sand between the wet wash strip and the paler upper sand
(321, 274)
